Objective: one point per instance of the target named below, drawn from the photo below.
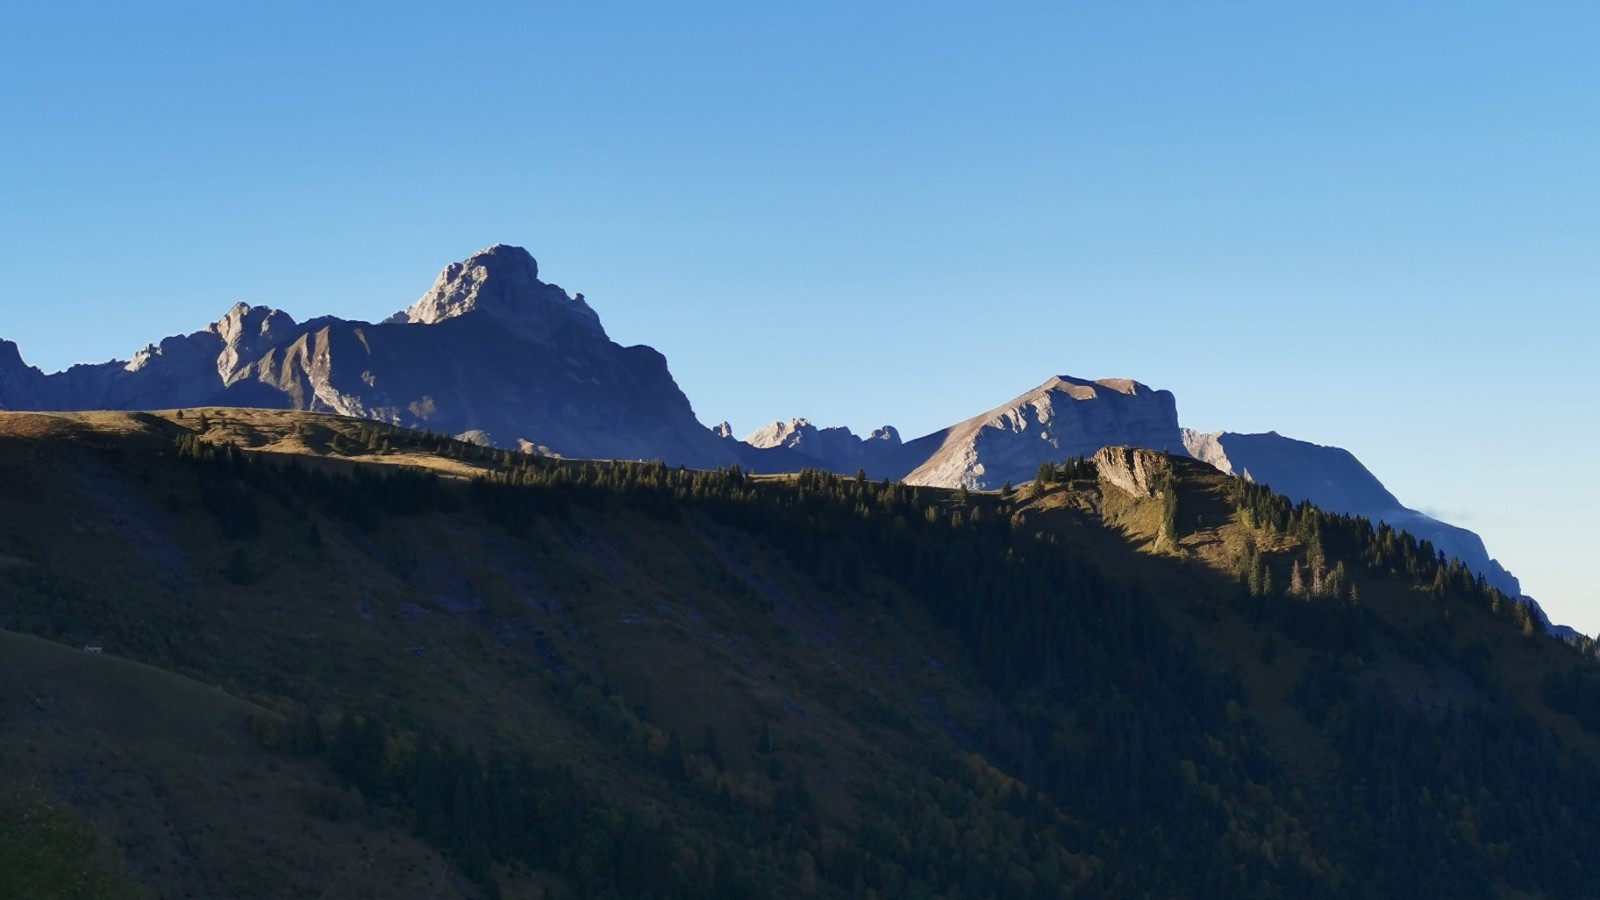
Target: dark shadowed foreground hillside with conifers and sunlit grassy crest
(382, 664)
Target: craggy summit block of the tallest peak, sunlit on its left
(502, 281)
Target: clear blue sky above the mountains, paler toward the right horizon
(1369, 225)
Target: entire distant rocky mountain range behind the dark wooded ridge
(497, 356)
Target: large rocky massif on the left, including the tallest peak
(489, 350)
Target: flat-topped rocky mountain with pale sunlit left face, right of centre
(1063, 417)
